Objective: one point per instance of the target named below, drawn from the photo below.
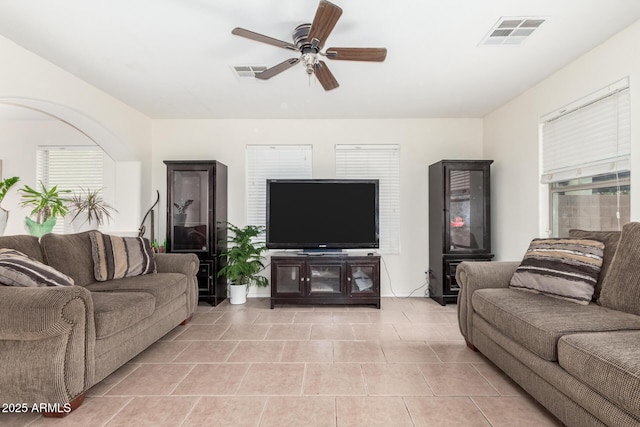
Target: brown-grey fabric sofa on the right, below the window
(582, 362)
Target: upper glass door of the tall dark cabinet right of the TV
(466, 222)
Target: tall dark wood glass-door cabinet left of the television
(196, 220)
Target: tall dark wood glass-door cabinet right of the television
(459, 222)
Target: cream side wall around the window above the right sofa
(511, 139)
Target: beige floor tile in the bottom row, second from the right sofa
(437, 411)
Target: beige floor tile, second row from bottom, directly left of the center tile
(274, 379)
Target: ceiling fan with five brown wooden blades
(309, 39)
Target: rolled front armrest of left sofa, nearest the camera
(47, 340)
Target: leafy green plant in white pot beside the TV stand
(244, 261)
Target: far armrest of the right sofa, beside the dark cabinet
(472, 276)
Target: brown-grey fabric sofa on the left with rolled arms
(56, 342)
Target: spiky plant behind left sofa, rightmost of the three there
(89, 209)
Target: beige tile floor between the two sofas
(403, 365)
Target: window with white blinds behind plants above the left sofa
(70, 168)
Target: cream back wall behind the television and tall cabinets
(422, 142)
